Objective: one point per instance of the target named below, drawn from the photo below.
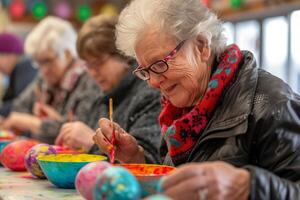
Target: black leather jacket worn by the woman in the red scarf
(257, 127)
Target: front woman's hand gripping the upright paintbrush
(127, 148)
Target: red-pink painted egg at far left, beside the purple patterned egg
(13, 155)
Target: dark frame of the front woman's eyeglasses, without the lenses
(164, 60)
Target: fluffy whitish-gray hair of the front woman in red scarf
(183, 19)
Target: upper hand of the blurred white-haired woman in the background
(42, 110)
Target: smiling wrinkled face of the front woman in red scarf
(183, 84)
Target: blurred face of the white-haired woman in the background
(51, 66)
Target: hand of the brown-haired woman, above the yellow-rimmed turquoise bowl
(76, 135)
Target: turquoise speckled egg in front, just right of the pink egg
(116, 183)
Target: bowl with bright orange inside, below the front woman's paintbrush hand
(148, 176)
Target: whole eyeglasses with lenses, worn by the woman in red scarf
(158, 67)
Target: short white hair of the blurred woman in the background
(52, 33)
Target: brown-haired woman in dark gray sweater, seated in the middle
(136, 106)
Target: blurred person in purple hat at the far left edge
(17, 67)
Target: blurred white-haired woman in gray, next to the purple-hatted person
(62, 92)
